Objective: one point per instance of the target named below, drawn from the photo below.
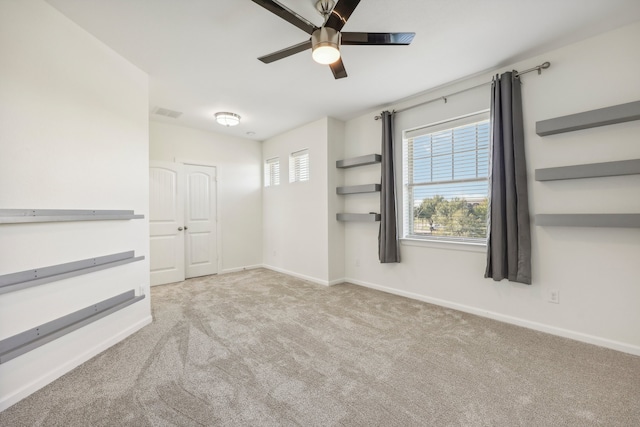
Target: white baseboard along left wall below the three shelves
(59, 371)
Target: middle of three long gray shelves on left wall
(39, 276)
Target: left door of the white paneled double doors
(166, 222)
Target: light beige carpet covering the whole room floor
(264, 349)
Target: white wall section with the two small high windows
(295, 214)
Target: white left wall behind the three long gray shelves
(73, 135)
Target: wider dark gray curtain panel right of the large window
(509, 235)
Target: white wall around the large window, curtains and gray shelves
(596, 270)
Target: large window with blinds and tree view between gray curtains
(446, 180)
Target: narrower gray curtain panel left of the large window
(388, 250)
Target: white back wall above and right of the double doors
(238, 165)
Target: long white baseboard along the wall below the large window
(553, 330)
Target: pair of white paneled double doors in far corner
(182, 220)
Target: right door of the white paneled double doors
(200, 221)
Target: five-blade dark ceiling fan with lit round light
(326, 40)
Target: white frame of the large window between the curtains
(444, 242)
